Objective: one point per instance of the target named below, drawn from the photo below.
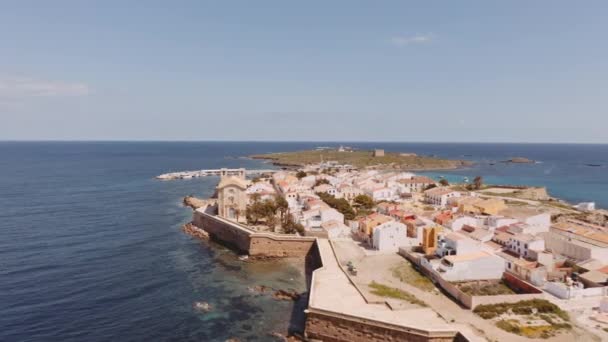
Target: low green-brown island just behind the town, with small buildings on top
(376, 159)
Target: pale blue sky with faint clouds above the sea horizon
(516, 71)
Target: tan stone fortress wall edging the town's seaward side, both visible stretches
(324, 325)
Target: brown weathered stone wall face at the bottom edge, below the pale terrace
(331, 328)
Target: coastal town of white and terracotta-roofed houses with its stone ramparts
(401, 256)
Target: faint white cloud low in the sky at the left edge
(23, 87)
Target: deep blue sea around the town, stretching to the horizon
(91, 247)
